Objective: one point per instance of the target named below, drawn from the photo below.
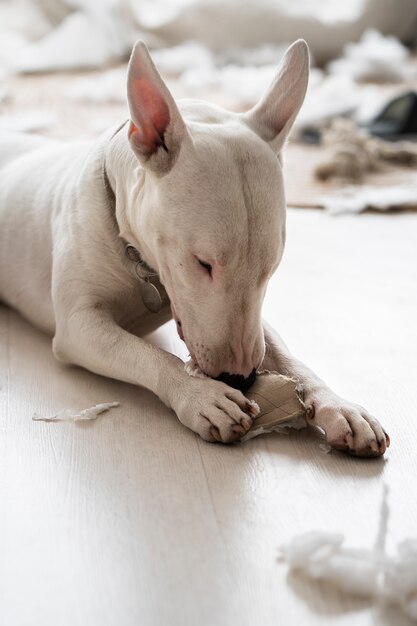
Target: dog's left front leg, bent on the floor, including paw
(92, 339)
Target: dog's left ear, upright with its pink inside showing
(156, 127)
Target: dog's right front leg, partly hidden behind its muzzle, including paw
(347, 426)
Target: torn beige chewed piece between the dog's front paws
(280, 401)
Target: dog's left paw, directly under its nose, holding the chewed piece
(215, 411)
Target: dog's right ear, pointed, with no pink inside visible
(273, 116)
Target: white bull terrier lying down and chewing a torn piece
(181, 211)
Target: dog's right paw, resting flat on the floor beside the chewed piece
(347, 426)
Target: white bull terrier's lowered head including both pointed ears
(212, 207)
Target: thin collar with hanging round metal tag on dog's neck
(152, 294)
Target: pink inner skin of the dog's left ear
(151, 115)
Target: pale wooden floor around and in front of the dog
(132, 520)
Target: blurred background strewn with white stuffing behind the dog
(63, 68)
